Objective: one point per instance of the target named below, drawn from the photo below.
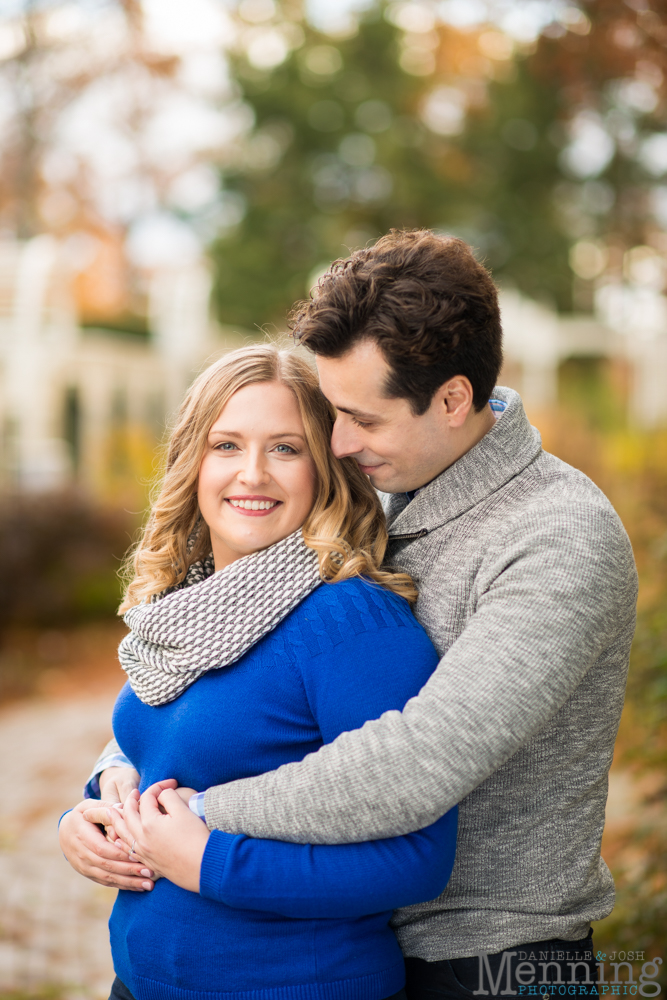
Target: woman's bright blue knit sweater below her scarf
(279, 921)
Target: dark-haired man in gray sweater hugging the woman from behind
(527, 589)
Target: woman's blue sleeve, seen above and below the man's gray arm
(375, 669)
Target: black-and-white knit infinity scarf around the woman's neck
(212, 619)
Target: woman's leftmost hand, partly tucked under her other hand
(90, 853)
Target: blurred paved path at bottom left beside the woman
(53, 922)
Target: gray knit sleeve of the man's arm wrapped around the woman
(554, 593)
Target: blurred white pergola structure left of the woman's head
(65, 391)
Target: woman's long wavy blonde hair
(345, 525)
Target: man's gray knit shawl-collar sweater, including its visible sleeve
(527, 589)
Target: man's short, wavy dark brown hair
(431, 307)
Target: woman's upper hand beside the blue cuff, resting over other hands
(160, 829)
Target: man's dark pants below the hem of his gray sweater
(544, 968)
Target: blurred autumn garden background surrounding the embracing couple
(173, 175)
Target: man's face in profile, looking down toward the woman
(396, 449)
